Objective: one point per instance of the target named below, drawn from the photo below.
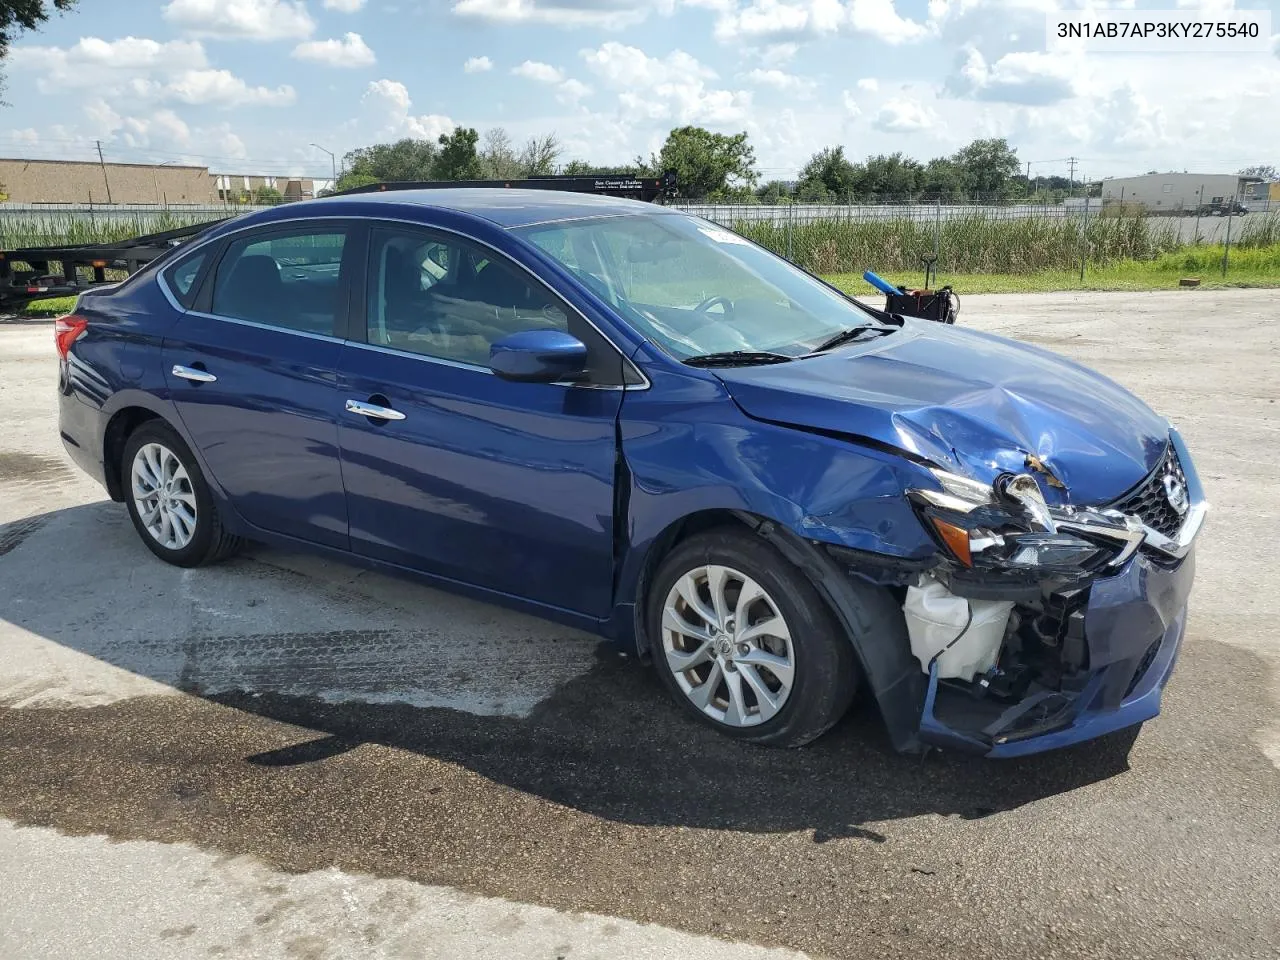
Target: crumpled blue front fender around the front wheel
(691, 451)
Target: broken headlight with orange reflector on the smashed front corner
(1009, 527)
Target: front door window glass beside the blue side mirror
(446, 299)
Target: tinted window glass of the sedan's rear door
(292, 281)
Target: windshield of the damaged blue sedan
(698, 289)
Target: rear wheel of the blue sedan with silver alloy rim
(170, 501)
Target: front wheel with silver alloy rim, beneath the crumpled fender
(746, 644)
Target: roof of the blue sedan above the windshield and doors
(509, 208)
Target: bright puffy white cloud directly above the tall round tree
(671, 89)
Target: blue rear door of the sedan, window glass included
(268, 423)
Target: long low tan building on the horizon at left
(81, 182)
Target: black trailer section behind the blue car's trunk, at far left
(26, 273)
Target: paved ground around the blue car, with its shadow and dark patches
(365, 767)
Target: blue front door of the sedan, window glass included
(505, 486)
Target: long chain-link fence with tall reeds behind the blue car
(828, 239)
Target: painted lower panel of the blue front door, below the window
(499, 484)
